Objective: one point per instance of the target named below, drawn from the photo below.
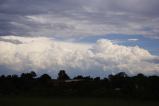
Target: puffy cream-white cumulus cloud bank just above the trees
(47, 54)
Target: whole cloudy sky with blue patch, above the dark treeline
(83, 37)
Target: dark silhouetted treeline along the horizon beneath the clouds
(119, 85)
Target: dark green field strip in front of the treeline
(26, 101)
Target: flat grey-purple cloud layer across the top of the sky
(67, 18)
